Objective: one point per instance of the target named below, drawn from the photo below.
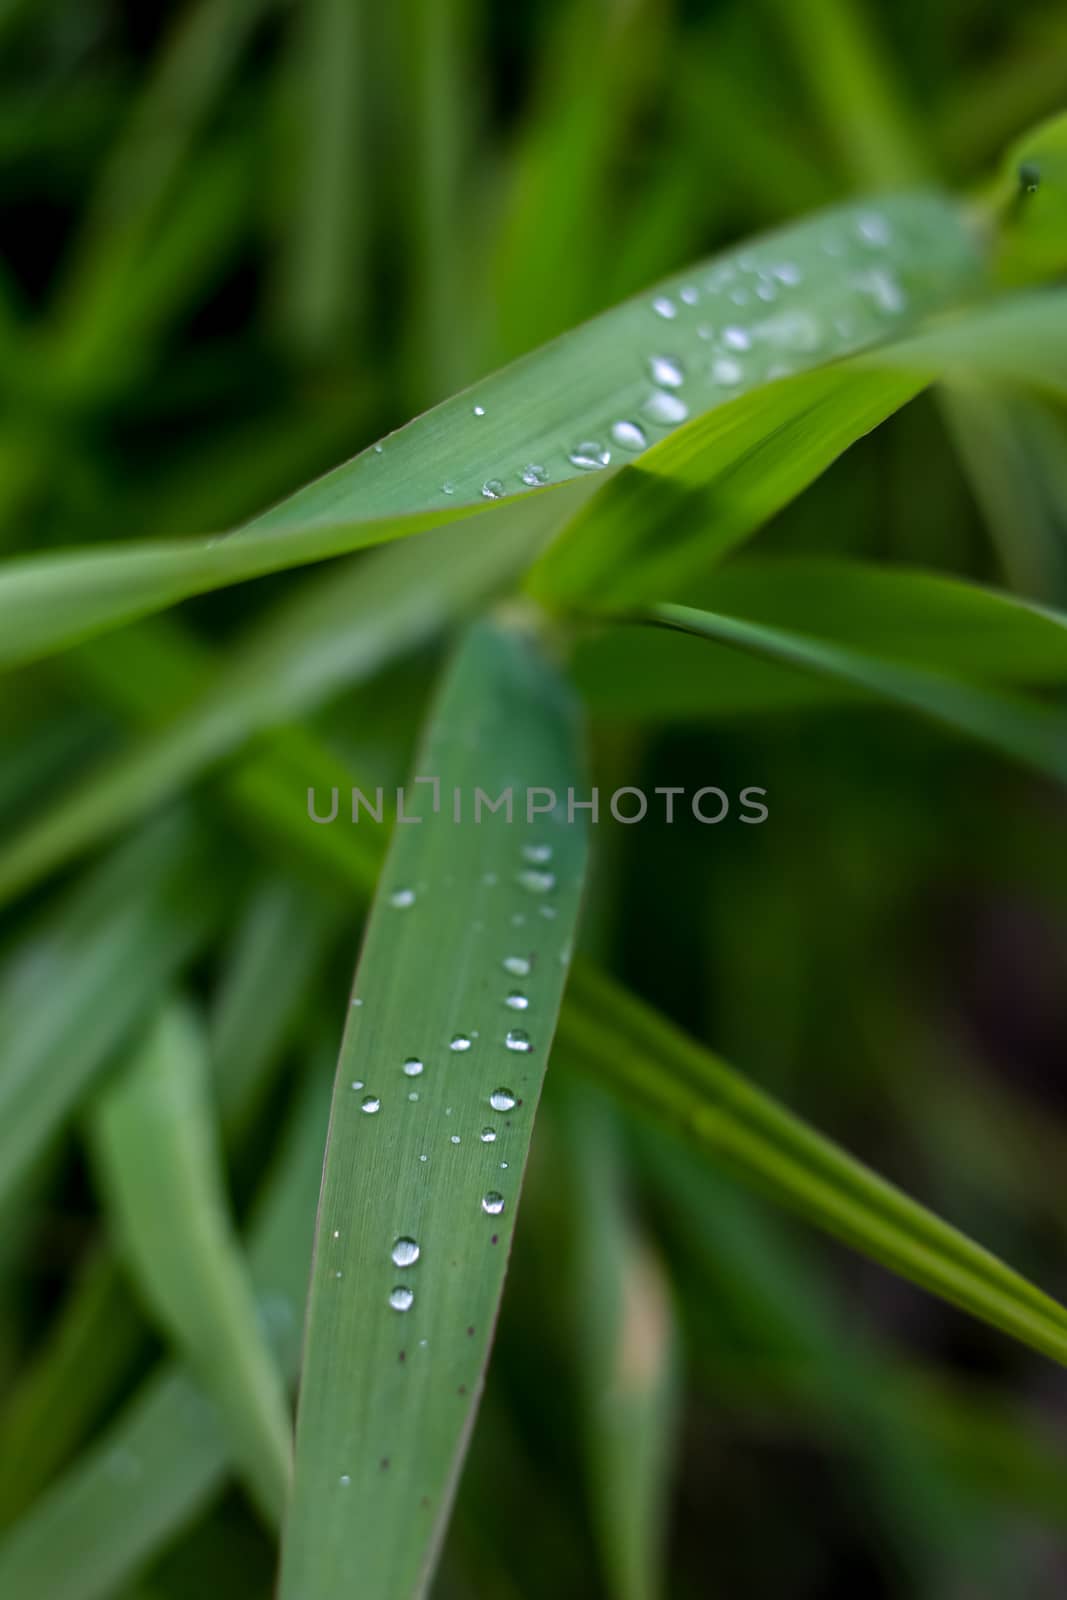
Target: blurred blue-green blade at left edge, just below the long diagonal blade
(145, 910)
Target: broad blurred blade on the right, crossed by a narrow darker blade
(900, 615)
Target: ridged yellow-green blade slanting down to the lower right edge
(647, 1060)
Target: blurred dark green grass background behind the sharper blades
(239, 241)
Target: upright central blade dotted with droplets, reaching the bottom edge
(396, 1350)
